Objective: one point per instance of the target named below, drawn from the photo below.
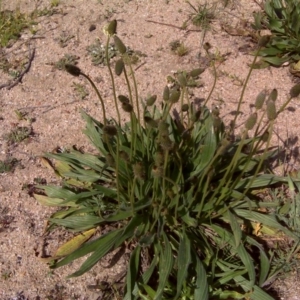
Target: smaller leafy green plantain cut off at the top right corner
(281, 18)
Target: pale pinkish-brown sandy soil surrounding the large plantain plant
(47, 95)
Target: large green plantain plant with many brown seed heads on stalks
(176, 185)
